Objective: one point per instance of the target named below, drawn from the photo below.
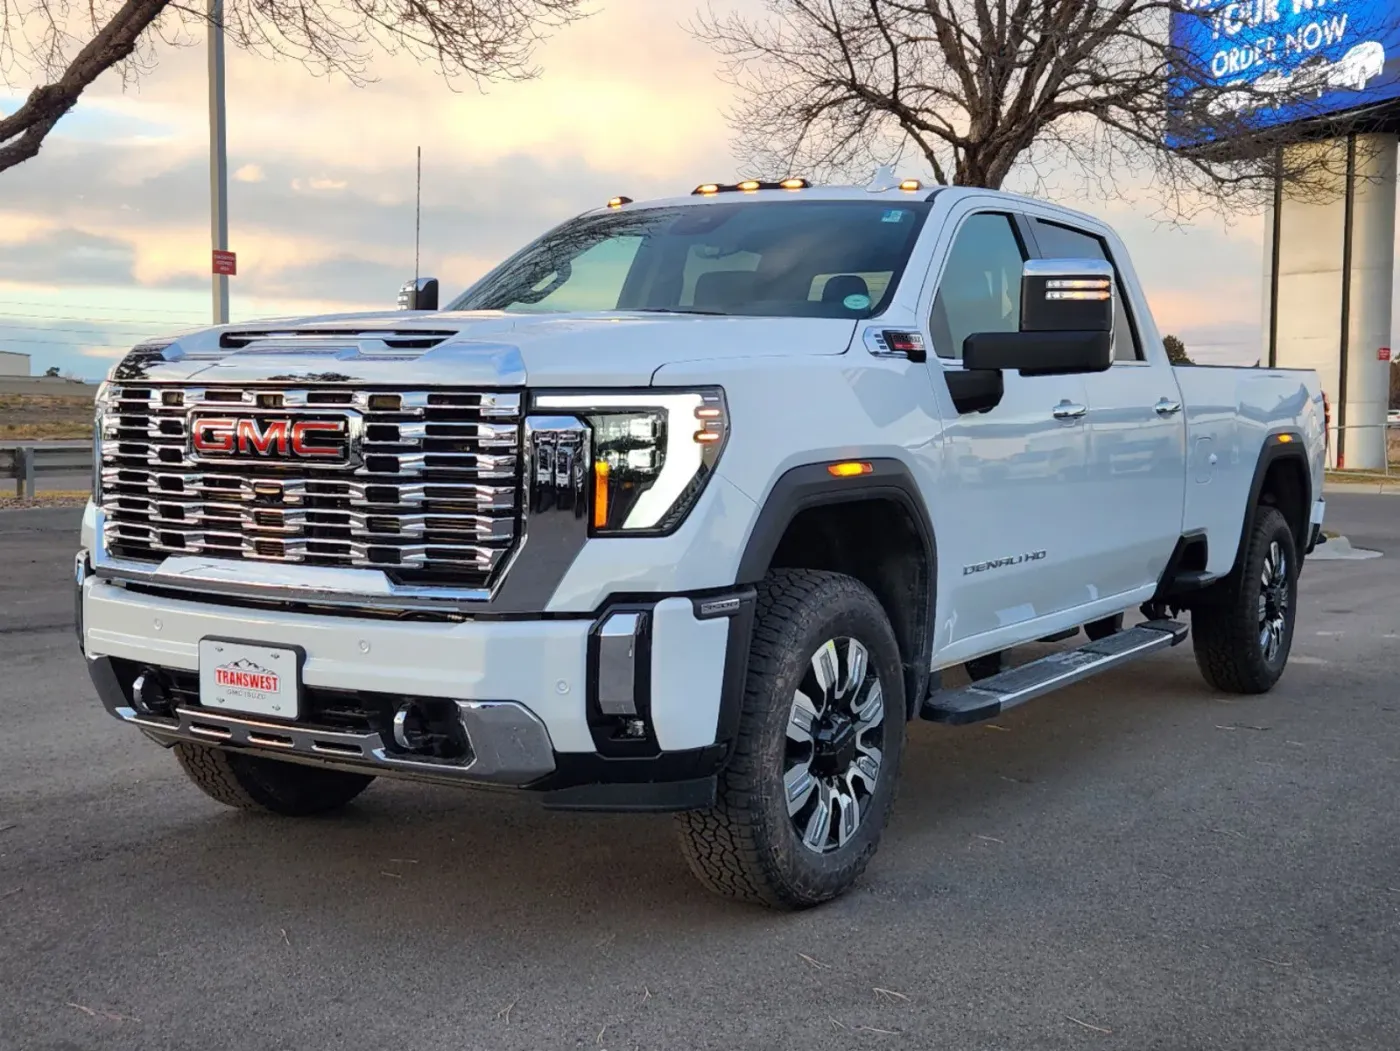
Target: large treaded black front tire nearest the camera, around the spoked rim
(748, 846)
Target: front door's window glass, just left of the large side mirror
(981, 286)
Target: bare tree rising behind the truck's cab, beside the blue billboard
(988, 89)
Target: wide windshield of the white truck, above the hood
(773, 260)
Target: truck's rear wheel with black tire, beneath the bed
(1242, 632)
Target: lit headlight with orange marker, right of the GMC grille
(653, 454)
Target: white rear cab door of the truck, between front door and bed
(1137, 435)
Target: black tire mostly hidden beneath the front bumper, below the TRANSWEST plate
(251, 783)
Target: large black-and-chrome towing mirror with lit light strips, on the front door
(1067, 310)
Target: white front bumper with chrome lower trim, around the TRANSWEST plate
(538, 700)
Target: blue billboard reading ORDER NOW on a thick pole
(1256, 65)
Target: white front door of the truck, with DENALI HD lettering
(1017, 531)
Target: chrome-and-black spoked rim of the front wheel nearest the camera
(835, 734)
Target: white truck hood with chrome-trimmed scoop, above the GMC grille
(474, 349)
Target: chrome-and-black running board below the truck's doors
(989, 698)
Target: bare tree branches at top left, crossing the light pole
(69, 44)
